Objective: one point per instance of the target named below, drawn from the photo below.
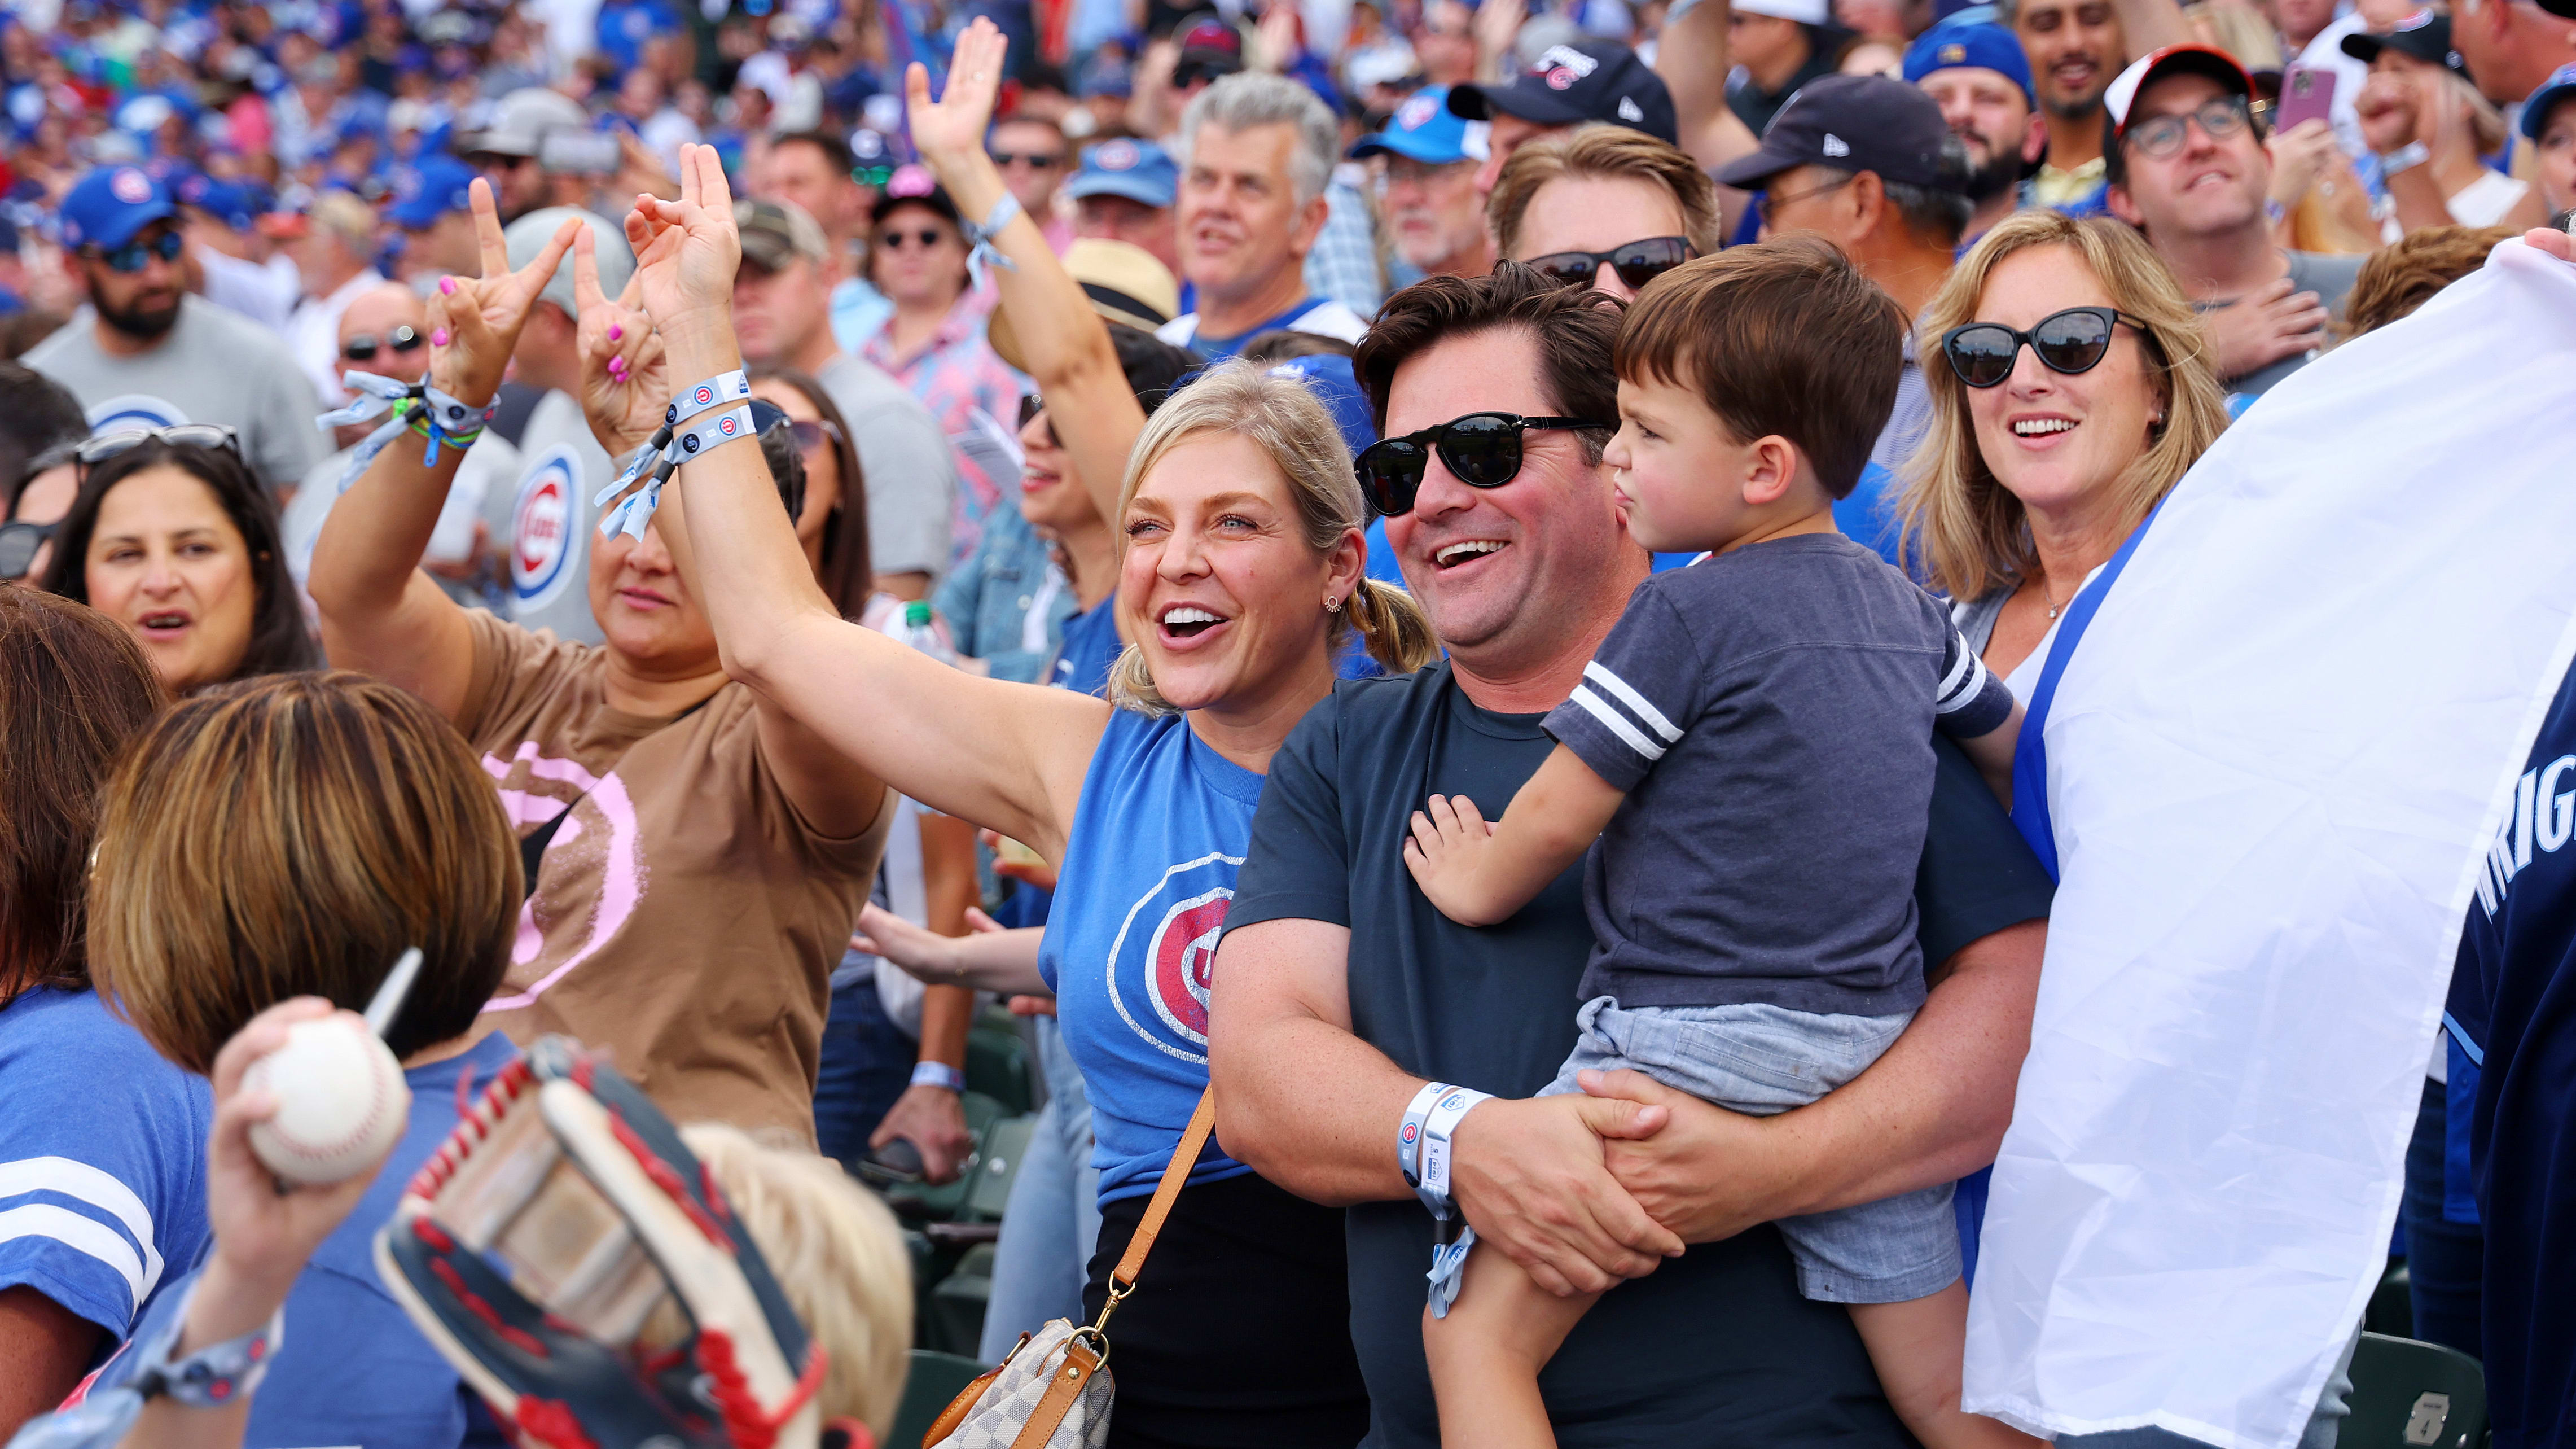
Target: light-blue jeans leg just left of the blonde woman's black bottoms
(1055, 1211)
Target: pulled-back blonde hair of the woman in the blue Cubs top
(1287, 422)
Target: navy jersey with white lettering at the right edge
(2513, 1004)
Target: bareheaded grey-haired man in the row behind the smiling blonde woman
(1256, 159)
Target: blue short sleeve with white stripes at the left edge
(102, 1159)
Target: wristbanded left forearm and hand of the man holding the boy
(1315, 1110)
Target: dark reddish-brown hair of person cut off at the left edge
(73, 690)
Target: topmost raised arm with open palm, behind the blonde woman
(1065, 342)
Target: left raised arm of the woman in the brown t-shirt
(380, 610)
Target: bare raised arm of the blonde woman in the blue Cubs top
(998, 754)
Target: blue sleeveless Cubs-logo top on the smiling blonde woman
(1142, 899)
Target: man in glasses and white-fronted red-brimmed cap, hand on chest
(2188, 166)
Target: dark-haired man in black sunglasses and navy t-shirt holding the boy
(1341, 989)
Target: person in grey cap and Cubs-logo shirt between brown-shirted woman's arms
(547, 522)
